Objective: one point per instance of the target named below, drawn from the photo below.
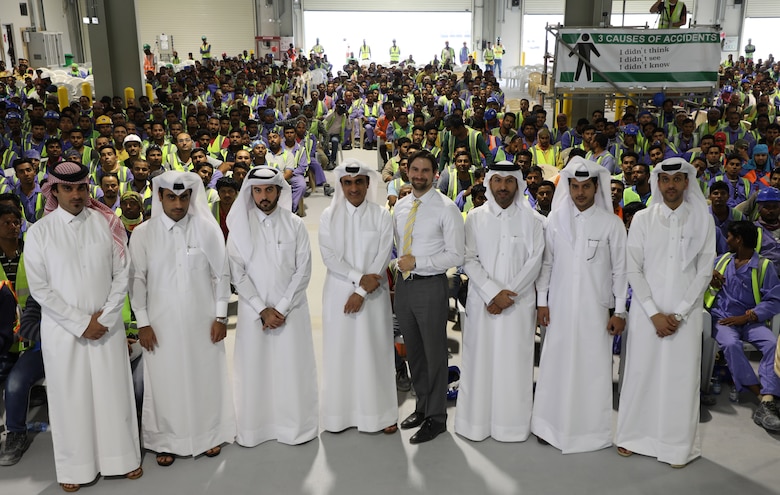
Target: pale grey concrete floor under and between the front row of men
(738, 456)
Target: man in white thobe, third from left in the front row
(275, 375)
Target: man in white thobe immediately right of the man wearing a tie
(504, 248)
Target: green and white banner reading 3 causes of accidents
(589, 59)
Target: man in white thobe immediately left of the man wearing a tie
(356, 240)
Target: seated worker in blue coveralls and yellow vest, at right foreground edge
(744, 295)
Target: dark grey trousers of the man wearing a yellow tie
(421, 308)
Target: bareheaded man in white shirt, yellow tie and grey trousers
(429, 236)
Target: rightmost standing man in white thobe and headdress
(671, 250)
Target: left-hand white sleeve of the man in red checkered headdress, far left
(69, 317)
